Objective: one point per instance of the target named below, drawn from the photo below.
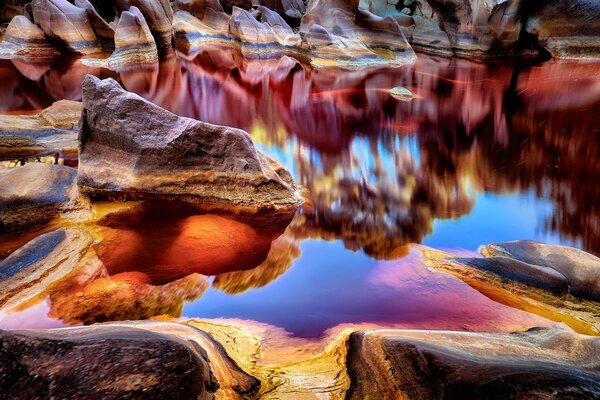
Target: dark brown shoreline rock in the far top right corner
(566, 28)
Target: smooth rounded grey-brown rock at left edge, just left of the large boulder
(35, 193)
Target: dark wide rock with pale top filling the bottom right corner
(537, 364)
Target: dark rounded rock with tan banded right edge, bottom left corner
(132, 360)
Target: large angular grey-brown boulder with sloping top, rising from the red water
(133, 149)
